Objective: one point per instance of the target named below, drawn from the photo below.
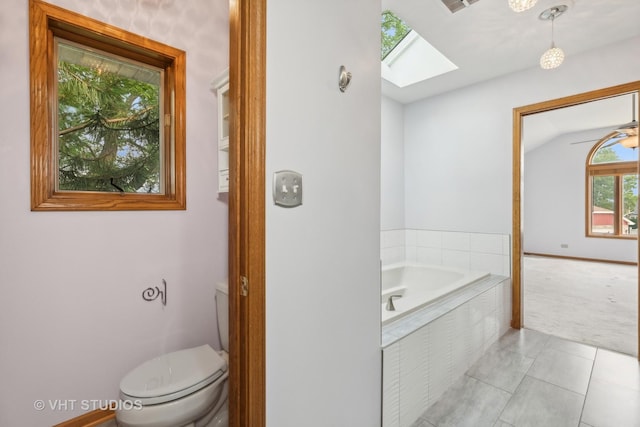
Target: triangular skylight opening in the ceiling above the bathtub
(407, 58)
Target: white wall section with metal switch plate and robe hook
(323, 354)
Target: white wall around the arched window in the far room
(554, 202)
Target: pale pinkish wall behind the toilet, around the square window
(72, 320)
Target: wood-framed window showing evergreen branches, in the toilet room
(107, 116)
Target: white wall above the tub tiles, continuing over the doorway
(458, 146)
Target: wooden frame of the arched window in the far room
(617, 170)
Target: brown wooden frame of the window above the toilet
(47, 22)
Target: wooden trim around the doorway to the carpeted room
(518, 158)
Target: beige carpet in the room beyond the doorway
(591, 302)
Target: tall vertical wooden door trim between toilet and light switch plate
(247, 90)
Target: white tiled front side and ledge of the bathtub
(427, 351)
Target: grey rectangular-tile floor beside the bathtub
(529, 378)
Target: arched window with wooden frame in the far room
(612, 190)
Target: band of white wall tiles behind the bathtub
(467, 250)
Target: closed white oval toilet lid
(181, 372)
